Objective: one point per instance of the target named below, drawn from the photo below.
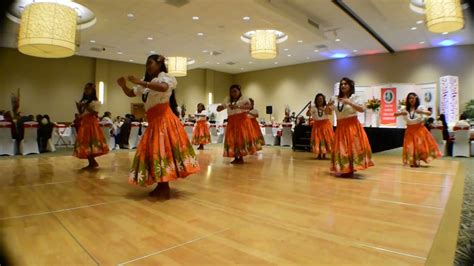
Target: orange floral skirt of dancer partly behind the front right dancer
(322, 137)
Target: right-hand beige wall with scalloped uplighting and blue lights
(296, 85)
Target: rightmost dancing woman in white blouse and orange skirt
(418, 143)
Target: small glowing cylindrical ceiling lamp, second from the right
(263, 44)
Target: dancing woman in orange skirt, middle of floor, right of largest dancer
(240, 139)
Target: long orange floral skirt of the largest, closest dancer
(164, 152)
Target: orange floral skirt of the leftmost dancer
(90, 140)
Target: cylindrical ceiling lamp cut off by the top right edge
(444, 15)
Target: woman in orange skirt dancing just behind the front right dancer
(322, 134)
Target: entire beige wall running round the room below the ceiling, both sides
(52, 85)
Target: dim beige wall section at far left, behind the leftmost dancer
(47, 86)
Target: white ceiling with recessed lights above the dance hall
(174, 32)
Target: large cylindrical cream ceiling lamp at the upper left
(48, 30)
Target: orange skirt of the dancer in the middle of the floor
(239, 137)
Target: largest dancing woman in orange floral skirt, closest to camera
(164, 153)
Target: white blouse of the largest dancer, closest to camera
(157, 97)
